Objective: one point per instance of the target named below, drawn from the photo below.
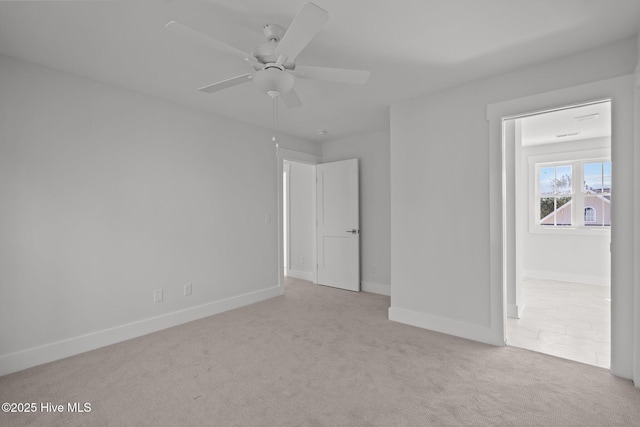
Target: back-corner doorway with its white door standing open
(319, 198)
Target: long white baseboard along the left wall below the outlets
(58, 350)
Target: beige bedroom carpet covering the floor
(320, 357)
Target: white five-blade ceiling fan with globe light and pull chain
(273, 62)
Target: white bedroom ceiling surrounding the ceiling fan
(411, 47)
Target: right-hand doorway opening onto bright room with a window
(558, 271)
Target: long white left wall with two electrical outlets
(106, 195)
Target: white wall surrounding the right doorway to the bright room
(440, 159)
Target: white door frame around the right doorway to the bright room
(621, 92)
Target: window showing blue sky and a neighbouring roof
(560, 198)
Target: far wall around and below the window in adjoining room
(582, 257)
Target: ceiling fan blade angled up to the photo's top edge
(304, 27)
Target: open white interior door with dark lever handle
(338, 224)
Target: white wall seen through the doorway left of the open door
(302, 227)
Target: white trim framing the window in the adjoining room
(573, 157)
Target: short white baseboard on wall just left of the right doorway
(446, 326)
